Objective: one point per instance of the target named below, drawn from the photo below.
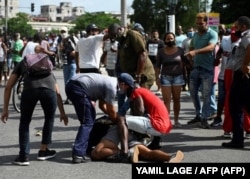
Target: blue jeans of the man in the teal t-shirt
(201, 78)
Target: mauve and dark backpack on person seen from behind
(38, 65)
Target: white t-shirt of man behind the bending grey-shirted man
(90, 51)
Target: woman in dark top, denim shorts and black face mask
(169, 74)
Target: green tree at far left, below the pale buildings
(20, 24)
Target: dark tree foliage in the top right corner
(230, 10)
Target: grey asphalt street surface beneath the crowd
(199, 146)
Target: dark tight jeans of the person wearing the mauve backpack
(29, 99)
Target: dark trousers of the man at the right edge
(239, 100)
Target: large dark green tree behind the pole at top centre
(153, 13)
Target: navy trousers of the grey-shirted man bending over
(86, 115)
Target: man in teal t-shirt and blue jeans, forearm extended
(202, 75)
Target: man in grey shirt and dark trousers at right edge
(239, 97)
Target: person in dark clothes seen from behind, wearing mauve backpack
(42, 88)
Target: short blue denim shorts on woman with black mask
(167, 80)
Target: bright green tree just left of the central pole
(102, 20)
